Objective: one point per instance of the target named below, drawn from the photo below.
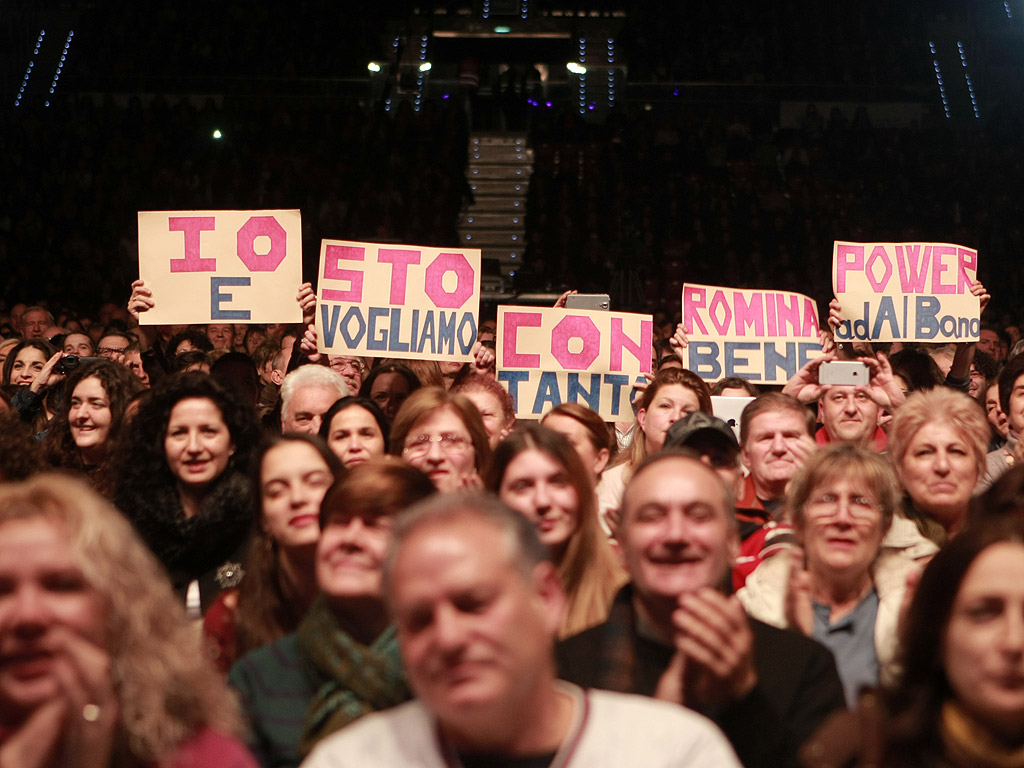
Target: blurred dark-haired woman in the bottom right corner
(960, 699)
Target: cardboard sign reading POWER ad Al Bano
(907, 291)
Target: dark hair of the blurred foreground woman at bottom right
(917, 700)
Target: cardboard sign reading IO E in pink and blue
(234, 267)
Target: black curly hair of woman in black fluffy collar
(144, 461)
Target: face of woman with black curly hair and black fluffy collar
(198, 443)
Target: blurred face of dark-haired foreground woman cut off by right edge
(984, 653)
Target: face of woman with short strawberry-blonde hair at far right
(940, 473)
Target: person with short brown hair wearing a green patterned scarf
(343, 662)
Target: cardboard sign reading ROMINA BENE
(762, 336)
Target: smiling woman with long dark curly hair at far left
(81, 438)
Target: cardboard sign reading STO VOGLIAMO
(398, 302)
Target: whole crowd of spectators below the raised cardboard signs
(335, 561)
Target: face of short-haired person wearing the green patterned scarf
(351, 557)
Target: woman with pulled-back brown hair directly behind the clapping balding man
(673, 395)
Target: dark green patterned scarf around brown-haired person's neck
(352, 680)
